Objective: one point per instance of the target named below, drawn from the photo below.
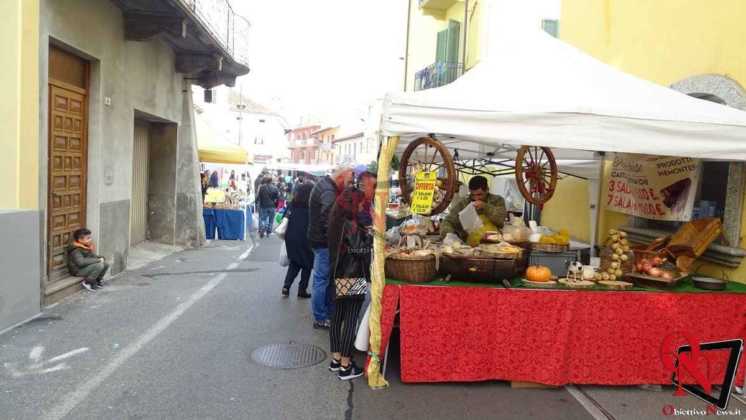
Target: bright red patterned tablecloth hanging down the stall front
(551, 337)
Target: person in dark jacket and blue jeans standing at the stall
(323, 196)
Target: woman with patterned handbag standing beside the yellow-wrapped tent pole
(350, 250)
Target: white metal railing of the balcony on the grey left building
(229, 28)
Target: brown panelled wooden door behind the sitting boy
(68, 152)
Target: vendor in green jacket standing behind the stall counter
(490, 207)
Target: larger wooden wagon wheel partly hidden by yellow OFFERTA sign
(428, 154)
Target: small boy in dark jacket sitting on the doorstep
(82, 260)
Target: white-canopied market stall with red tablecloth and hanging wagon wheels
(523, 326)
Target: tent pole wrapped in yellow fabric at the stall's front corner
(378, 277)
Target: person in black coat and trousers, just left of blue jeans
(296, 242)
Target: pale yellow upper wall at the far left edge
(19, 109)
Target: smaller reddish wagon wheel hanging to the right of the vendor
(536, 173)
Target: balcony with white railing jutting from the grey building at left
(210, 40)
